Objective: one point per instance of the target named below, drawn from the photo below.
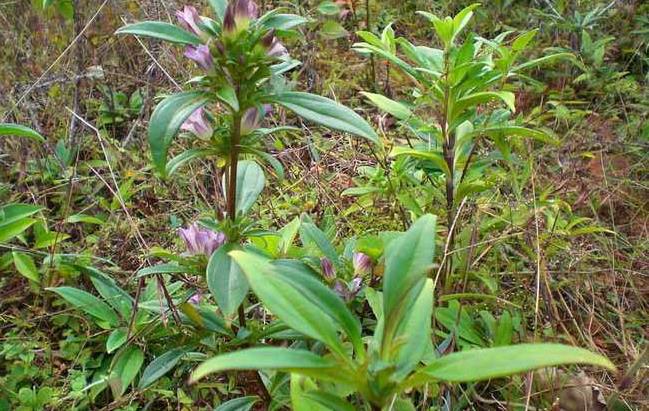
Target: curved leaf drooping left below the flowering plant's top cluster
(166, 120)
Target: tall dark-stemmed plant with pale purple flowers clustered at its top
(241, 61)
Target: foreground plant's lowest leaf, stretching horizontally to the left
(262, 358)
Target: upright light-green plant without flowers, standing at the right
(461, 97)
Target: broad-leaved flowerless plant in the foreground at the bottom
(359, 367)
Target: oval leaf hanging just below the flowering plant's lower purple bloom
(225, 280)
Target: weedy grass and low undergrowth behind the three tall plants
(575, 214)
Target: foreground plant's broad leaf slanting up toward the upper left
(286, 301)
